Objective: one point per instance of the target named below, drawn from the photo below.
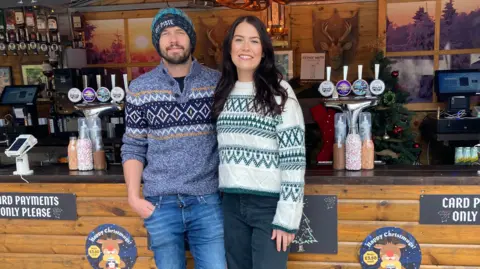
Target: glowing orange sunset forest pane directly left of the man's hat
(140, 41)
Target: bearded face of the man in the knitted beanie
(174, 45)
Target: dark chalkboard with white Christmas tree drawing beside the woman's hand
(318, 227)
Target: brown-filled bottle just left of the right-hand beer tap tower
(339, 146)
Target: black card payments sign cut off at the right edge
(450, 209)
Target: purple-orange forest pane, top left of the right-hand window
(410, 26)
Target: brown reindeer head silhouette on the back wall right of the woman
(336, 47)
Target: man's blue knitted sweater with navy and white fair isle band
(172, 132)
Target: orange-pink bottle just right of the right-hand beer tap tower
(368, 148)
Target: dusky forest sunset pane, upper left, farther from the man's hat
(105, 41)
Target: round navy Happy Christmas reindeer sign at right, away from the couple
(390, 248)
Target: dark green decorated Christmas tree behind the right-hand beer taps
(393, 136)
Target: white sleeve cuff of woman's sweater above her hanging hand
(288, 216)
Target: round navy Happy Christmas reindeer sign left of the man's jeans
(111, 247)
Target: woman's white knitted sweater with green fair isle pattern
(264, 155)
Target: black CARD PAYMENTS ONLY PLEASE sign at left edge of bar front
(46, 206)
